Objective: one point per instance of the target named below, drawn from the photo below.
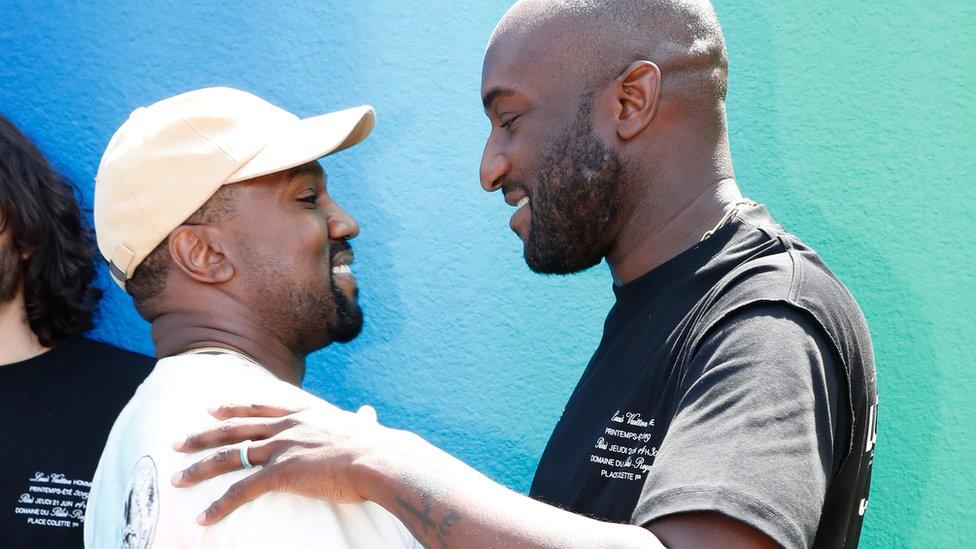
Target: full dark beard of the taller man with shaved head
(575, 203)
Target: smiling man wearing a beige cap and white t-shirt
(211, 210)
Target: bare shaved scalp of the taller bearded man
(593, 41)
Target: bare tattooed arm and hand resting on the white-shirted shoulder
(330, 454)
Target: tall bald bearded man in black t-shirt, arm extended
(731, 401)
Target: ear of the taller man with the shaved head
(638, 90)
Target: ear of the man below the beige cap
(198, 251)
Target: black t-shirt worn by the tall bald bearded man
(737, 378)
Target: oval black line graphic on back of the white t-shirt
(141, 506)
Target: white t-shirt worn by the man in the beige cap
(133, 504)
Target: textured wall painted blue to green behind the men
(853, 124)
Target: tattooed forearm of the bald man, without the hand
(446, 503)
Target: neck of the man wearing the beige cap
(178, 332)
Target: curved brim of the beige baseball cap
(307, 140)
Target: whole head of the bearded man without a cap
(608, 118)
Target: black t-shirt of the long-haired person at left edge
(56, 411)
